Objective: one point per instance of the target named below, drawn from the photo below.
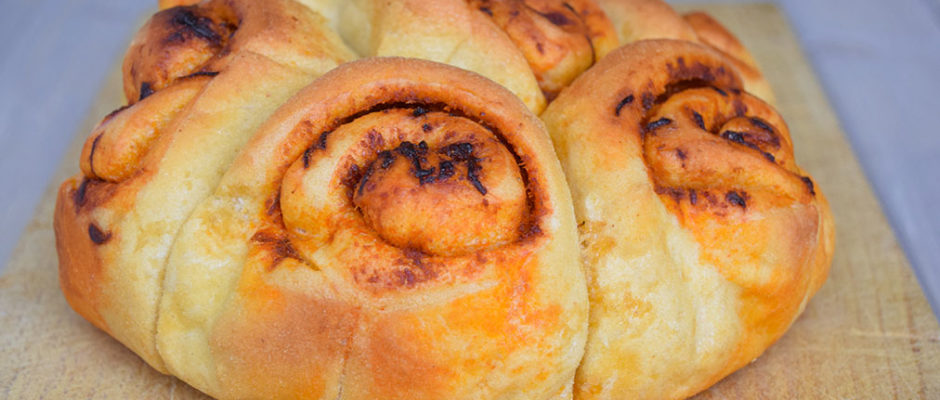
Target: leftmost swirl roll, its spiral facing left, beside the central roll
(190, 75)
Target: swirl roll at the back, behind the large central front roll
(533, 47)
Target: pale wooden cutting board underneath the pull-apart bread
(869, 333)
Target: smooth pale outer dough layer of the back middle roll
(446, 31)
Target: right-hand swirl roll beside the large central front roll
(702, 239)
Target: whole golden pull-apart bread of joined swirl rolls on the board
(267, 218)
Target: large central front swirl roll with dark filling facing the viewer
(400, 229)
